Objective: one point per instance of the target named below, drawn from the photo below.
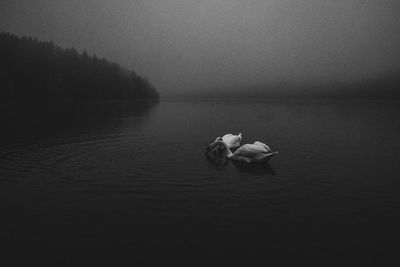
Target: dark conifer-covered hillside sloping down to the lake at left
(32, 69)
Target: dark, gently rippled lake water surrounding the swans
(129, 184)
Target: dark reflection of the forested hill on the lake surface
(29, 121)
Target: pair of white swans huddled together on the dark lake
(224, 147)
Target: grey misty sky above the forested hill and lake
(187, 46)
